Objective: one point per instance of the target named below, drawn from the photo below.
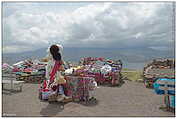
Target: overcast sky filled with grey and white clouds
(31, 26)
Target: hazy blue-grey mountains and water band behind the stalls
(129, 56)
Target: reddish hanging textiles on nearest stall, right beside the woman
(80, 88)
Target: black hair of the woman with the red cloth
(54, 50)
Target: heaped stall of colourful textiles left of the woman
(29, 71)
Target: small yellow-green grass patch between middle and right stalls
(132, 75)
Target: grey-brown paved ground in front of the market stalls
(131, 99)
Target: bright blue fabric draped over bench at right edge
(159, 91)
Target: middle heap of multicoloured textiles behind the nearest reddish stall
(102, 70)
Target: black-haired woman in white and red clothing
(53, 71)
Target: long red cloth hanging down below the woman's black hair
(54, 70)
